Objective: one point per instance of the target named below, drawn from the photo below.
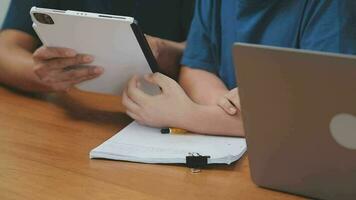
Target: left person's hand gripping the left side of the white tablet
(59, 68)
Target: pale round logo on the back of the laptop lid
(343, 130)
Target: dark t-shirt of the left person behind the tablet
(161, 18)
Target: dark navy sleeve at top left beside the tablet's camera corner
(18, 16)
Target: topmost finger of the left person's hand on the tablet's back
(45, 53)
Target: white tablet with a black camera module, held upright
(116, 42)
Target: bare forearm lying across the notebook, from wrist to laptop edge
(211, 120)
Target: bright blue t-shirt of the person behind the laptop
(327, 25)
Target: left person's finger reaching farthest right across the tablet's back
(80, 73)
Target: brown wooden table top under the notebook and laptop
(45, 143)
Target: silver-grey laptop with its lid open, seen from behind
(299, 114)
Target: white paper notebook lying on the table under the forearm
(138, 143)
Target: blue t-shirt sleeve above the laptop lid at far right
(330, 26)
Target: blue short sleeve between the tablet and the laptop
(201, 51)
